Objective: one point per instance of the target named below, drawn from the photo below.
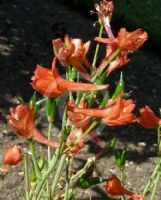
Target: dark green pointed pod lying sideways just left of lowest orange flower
(85, 183)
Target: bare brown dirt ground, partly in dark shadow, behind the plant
(26, 31)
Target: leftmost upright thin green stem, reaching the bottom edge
(26, 175)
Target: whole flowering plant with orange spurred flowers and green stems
(82, 114)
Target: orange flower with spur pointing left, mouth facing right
(118, 112)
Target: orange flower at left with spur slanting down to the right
(21, 121)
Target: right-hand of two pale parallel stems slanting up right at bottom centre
(58, 173)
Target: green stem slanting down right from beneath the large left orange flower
(36, 167)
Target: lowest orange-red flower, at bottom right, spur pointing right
(114, 188)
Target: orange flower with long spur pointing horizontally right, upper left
(51, 84)
